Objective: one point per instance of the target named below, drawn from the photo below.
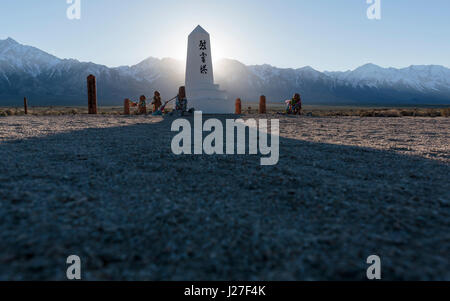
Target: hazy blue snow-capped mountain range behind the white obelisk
(48, 80)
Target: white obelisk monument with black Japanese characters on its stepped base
(201, 92)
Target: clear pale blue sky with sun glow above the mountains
(325, 34)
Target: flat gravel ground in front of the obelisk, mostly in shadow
(108, 188)
